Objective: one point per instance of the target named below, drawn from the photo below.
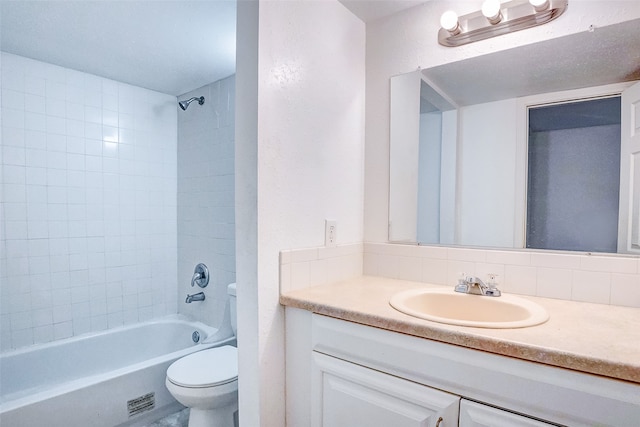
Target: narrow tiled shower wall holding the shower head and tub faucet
(206, 226)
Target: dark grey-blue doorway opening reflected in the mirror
(573, 184)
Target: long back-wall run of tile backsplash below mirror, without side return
(592, 278)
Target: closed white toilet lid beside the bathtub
(206, 368)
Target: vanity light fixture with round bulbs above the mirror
(496, 19)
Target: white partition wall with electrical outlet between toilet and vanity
(301, 164)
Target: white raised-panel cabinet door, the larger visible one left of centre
(349, 395)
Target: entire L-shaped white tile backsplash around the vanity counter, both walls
(582, 277)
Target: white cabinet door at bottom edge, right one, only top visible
(473, 414)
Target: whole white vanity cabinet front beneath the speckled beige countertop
(341, 373)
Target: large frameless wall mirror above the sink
(460, 135)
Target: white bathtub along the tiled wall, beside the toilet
(107, 379)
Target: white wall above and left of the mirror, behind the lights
(407, 40)
